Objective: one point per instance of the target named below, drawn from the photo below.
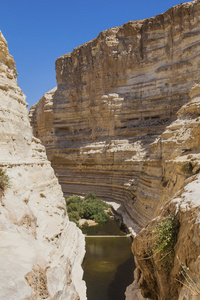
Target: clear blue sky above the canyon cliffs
(39, 31)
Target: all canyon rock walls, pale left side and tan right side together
(123, 123)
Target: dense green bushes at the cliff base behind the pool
(89, 208)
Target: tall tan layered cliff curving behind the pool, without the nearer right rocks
(116, 94)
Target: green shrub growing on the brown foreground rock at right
(165, 239)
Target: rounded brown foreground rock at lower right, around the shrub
(181, 281)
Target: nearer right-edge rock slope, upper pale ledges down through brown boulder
(180, 160)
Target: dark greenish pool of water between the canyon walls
(109, 264)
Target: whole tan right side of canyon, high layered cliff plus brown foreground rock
(123, 123)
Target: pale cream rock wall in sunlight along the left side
(40, 250)
